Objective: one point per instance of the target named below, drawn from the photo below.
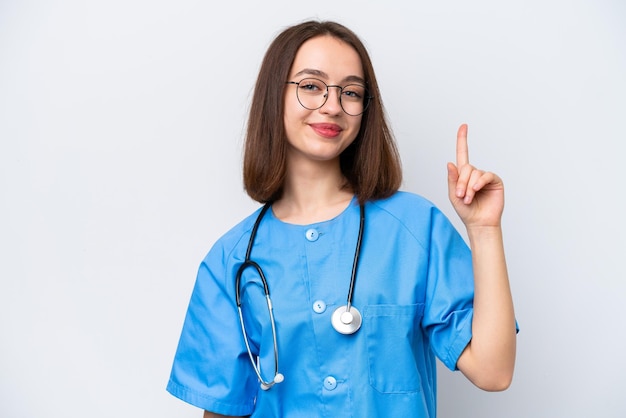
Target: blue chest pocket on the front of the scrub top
(392, 334)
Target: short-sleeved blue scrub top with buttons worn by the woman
(414, 288)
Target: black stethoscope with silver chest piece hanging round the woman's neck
(345, 319)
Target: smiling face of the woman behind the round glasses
(322, 134)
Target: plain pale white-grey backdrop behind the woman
(121, 126)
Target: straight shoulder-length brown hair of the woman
(371, 164)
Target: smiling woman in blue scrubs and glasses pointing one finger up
(368, 284)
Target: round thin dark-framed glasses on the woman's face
(313, 94)
